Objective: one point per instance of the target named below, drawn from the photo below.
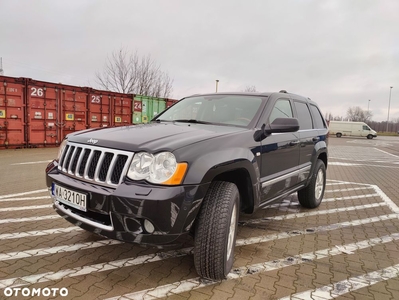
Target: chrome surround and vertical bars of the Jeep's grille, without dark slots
(72, 150)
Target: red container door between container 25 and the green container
(123, 109)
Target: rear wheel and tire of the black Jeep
(311, 196)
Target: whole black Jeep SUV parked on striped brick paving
(192, 170)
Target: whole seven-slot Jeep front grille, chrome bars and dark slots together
(95, 164)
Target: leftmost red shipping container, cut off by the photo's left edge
(12, 112)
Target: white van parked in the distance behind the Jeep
(342, 128)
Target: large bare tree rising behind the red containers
(128, 73)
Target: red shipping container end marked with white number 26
(42, 114)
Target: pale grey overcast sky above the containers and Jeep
(339, 53)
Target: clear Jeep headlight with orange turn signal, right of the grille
(160, 168)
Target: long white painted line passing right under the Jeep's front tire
(195, 283)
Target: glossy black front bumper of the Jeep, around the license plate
(120, 213)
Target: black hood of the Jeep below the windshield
(153, 137)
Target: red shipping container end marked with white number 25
(99, 108)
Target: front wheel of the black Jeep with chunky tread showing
(216, 231)
